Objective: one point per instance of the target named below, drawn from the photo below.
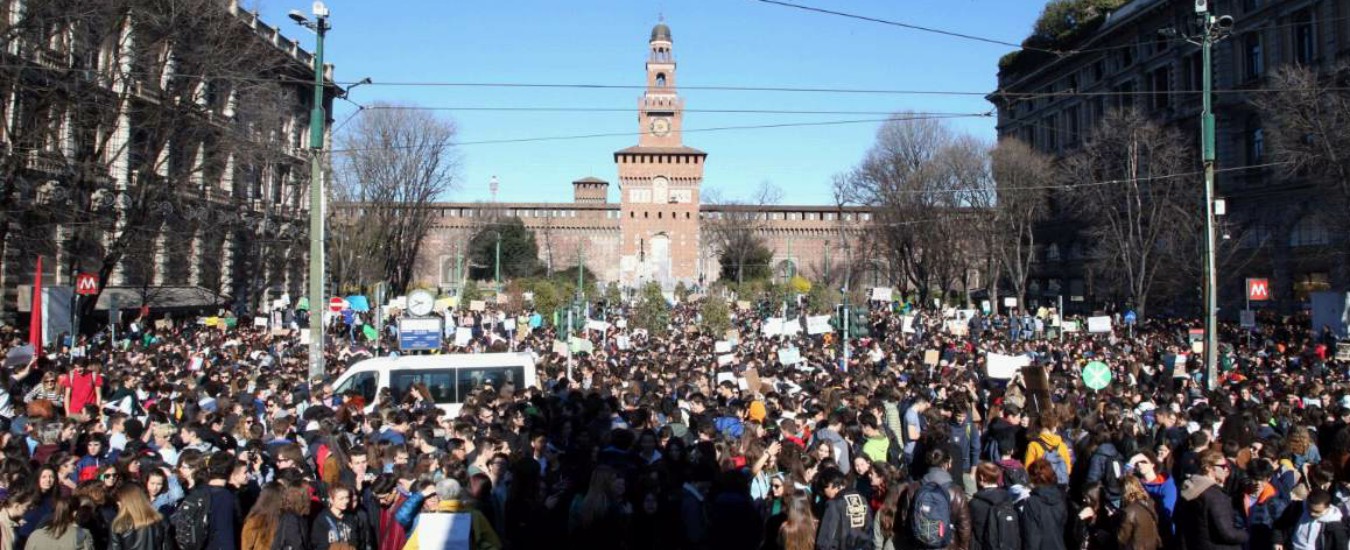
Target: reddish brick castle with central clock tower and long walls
(657, 230)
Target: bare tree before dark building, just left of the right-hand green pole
(1132, 182)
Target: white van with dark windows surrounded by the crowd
(449, 378)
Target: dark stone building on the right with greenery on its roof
(1123, 61)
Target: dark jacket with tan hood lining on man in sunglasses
(1205, 517)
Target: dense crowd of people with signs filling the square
(186, 437)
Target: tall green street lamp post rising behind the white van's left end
(318, 117)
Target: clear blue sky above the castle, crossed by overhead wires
(718, 44)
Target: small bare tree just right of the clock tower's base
(736, 230)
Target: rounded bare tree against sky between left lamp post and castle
(396, 161)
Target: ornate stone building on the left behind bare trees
(227, 179)
